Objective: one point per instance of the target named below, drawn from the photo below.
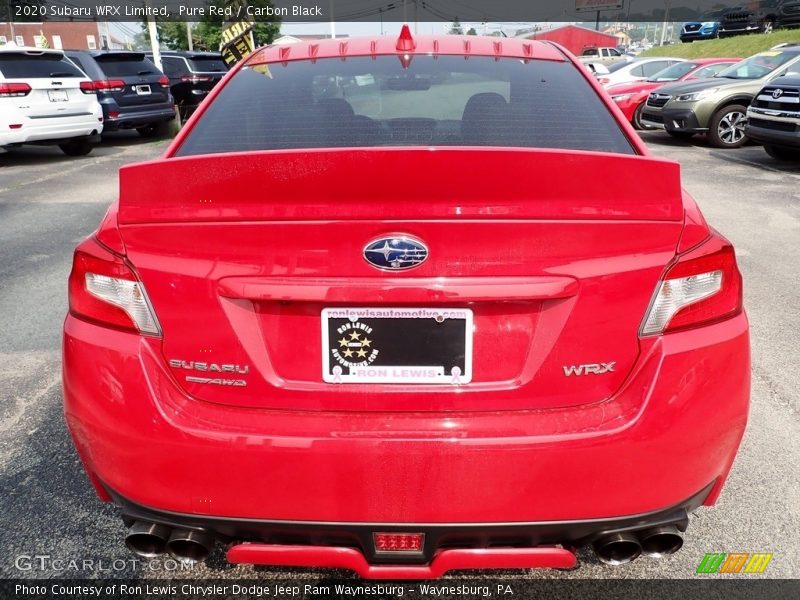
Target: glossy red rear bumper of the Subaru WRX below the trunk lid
(673, 428)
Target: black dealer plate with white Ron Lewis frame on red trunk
(397, 345)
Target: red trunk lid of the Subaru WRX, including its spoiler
(240, 255)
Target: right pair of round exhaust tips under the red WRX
(622, 548)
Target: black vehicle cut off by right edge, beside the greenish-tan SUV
(773, 118)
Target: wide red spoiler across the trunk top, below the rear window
(401, 184)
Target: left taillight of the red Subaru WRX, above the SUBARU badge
(104, 289)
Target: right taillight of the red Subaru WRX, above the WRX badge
(704, 286)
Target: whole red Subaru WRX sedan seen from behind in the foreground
(370, 311)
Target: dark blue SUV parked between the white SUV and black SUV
(134, 94)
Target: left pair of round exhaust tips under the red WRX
(152, 539)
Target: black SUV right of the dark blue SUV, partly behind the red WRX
(192, 75)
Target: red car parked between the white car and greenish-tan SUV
(630, 97)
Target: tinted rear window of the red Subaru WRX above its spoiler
(371, 102)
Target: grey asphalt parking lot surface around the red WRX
(48, 202)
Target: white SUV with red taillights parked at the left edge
(46, 99)
